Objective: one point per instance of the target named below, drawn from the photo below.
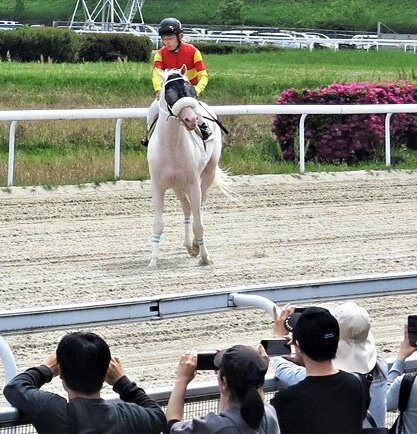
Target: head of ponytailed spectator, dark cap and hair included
(244, 370)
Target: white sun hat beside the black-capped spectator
(356, 351)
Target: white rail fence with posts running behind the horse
(15, 116)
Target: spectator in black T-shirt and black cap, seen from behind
(327, 401)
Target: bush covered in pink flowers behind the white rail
(335, 138)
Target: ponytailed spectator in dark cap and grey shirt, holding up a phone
(241, 374)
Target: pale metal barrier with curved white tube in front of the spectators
(94, 314)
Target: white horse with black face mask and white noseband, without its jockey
(179, 159)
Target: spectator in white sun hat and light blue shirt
(356, 352)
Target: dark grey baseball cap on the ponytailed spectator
(242, 365)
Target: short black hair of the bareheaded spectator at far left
(83, 359)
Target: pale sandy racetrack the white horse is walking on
(92, 243)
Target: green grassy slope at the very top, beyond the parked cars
(329, 14)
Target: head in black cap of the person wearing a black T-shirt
(317, 333)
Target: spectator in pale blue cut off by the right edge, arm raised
(395, 376)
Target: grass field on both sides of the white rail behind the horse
(74, 152)
